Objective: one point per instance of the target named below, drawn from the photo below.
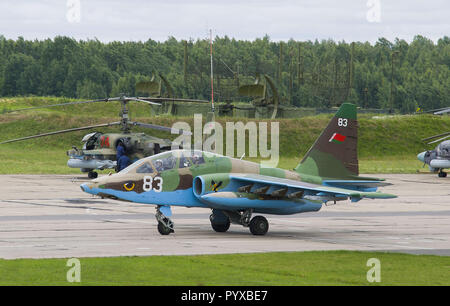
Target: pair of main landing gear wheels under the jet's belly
(221, 220)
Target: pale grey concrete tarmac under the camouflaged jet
(48, 216)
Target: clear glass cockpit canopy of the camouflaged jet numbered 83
(166, 161)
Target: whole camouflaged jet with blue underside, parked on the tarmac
(236, 189)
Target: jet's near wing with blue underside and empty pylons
(261, 187)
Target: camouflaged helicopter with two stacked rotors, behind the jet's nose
(99, 149)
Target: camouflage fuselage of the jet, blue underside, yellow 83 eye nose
(195, 182)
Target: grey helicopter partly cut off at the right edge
(439, 158)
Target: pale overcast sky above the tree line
(109, 20)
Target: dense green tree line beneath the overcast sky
(390, 75)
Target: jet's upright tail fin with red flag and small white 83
(334, 154)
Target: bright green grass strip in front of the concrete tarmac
(288, 268)
